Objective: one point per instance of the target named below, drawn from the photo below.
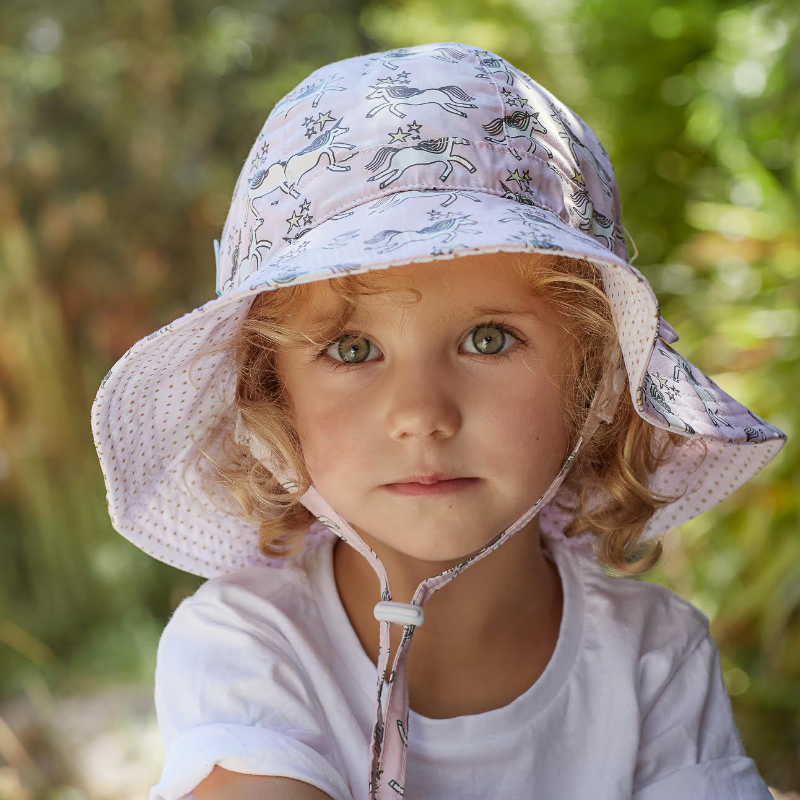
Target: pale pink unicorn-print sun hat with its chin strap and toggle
(411, 155)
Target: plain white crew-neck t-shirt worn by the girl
(261, 672)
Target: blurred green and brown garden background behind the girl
(123, 127)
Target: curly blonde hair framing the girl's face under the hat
(607, 485)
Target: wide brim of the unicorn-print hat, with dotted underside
(152, 407)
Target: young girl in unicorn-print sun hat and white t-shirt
(433, 402)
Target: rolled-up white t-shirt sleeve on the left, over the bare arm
(228, 691)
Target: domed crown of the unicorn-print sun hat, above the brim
(431, 117)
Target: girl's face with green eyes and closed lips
(425, 395)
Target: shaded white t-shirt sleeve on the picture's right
(689, 744)
